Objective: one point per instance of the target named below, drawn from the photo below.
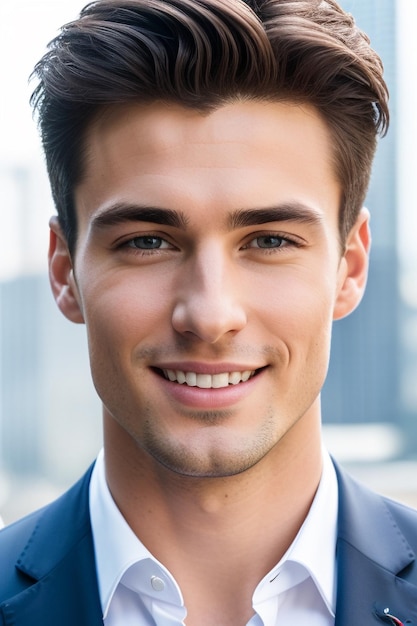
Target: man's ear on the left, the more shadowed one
(61, 275)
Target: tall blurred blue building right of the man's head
(367, 355)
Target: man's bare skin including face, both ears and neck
(239, 269)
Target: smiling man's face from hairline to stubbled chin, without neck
(208, 272)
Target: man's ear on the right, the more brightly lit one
(353, 268)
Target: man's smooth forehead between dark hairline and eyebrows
(242, 154)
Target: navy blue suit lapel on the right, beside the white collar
(372, 552)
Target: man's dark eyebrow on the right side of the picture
(289, 212)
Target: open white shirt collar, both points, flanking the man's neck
(312, 553)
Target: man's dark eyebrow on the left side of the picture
(121, 212)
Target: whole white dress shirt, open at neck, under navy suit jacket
(136, 589)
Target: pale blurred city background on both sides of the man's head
(50, 422)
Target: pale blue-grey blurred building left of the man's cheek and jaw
(50, 417)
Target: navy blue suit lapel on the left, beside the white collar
(59, 558)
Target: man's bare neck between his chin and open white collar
(218, 536)
